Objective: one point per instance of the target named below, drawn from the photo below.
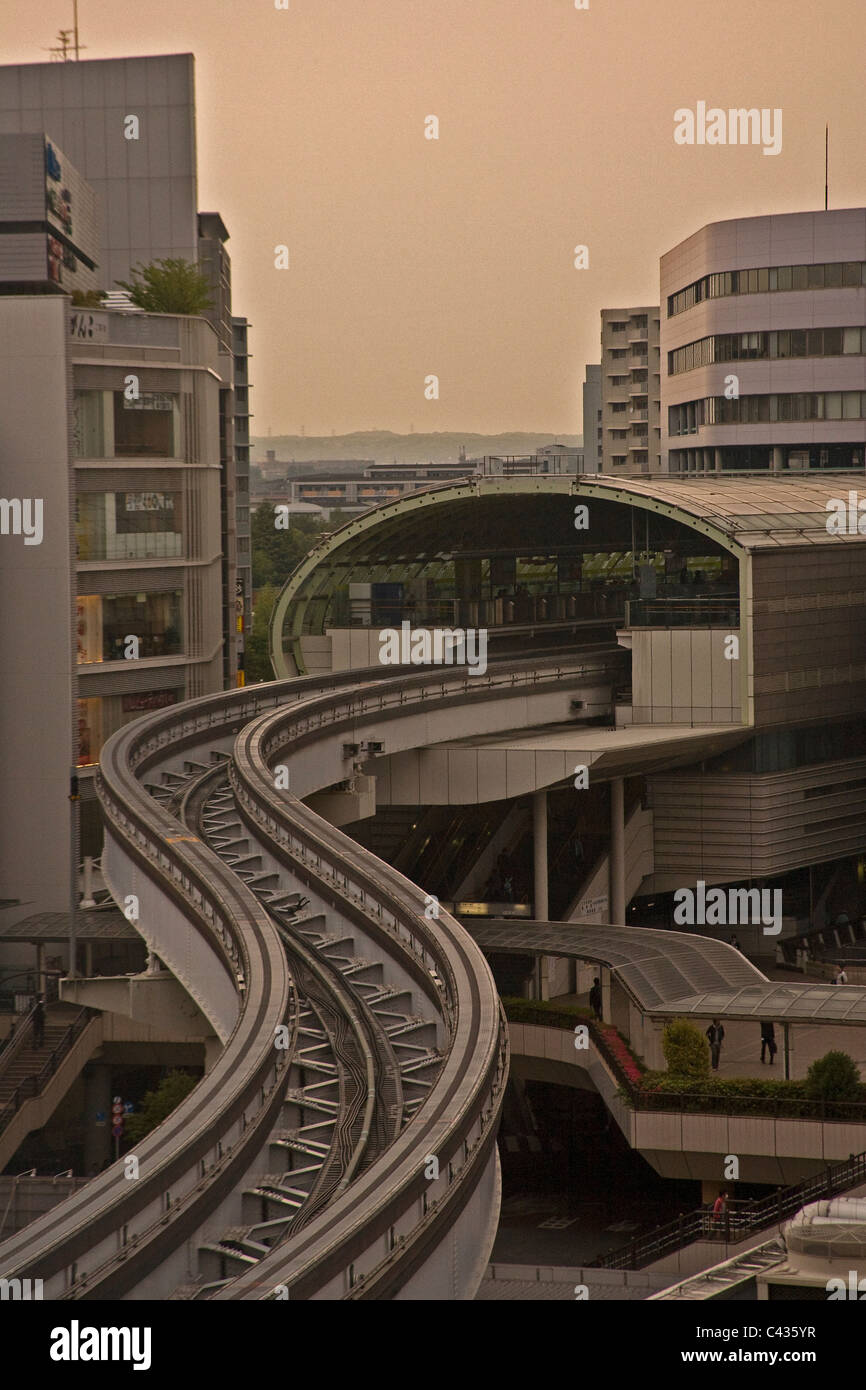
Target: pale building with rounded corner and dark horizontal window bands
(764, 344)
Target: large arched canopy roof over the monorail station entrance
(486, 515)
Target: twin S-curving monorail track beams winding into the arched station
(193, 1161)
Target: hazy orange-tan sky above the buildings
(455, 256)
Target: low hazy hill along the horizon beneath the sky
(384, 447)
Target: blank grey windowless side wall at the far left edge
(38, 732)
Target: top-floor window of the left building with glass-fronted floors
(109, 426)
